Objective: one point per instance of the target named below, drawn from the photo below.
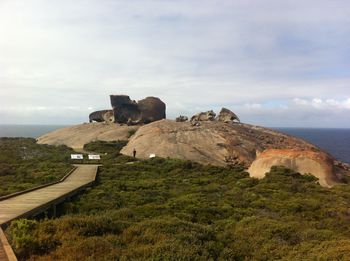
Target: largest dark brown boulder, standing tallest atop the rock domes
(132, 112)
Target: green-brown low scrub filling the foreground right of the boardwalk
(165, 209)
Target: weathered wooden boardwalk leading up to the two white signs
(39, 200)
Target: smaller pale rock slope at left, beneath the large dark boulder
(78, 135)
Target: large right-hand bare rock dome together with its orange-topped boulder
(218, 143)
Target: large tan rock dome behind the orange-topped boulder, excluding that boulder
(211, 142)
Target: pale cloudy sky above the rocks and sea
(276, 63)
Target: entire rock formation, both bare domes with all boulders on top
(203, 140)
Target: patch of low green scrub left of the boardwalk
(25, 164)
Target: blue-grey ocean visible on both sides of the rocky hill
(335, 141)
